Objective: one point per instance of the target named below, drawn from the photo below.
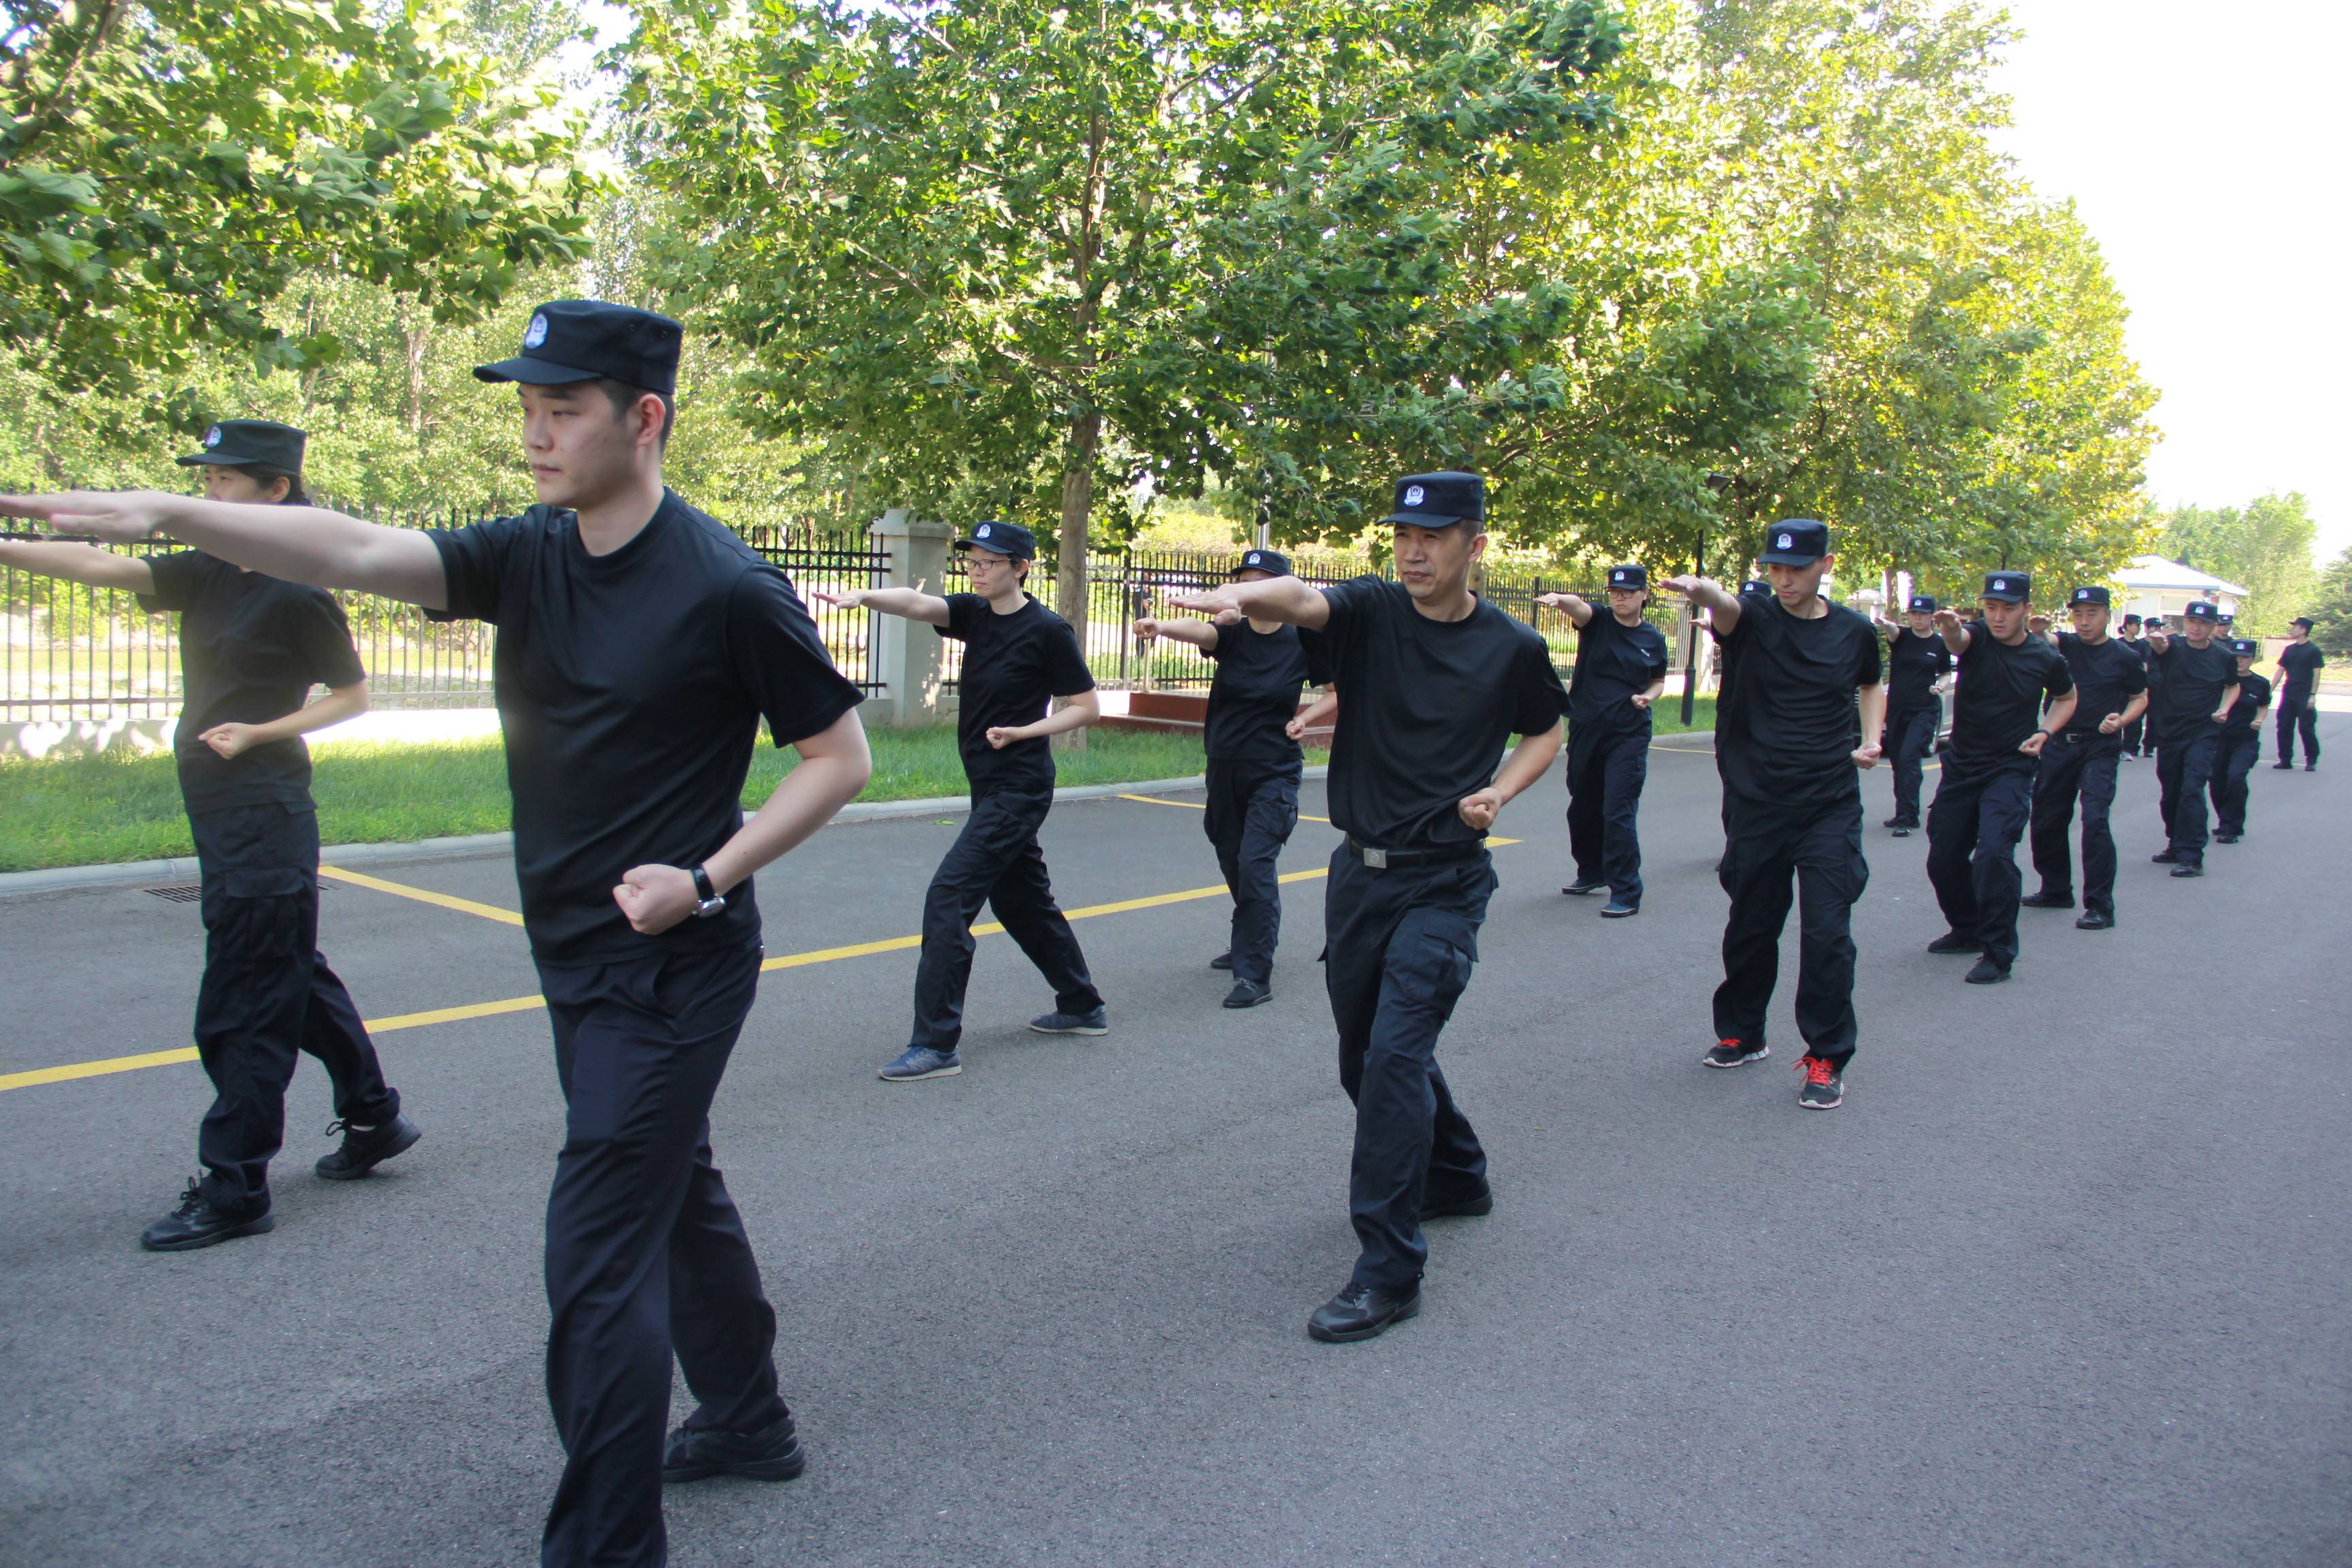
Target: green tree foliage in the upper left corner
(171, 170)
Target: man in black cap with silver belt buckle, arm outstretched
(1436, 681)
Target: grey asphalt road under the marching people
(2064, 1282)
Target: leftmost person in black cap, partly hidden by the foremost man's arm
(250, 652)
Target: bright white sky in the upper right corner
(2210, 152)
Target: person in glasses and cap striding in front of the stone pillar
(1017, 659)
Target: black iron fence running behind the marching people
(72, 652)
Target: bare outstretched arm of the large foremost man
(300, 544)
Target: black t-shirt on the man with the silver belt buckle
(1424, 711)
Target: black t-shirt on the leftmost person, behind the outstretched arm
(250, 650)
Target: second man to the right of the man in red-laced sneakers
(2080, 763)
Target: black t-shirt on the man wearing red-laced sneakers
(1796, 723)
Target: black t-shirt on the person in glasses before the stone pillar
(1015, 666)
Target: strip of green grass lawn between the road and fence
(98, 810)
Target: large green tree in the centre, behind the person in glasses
(1027, 257)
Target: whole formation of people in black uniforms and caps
(641, 645)
